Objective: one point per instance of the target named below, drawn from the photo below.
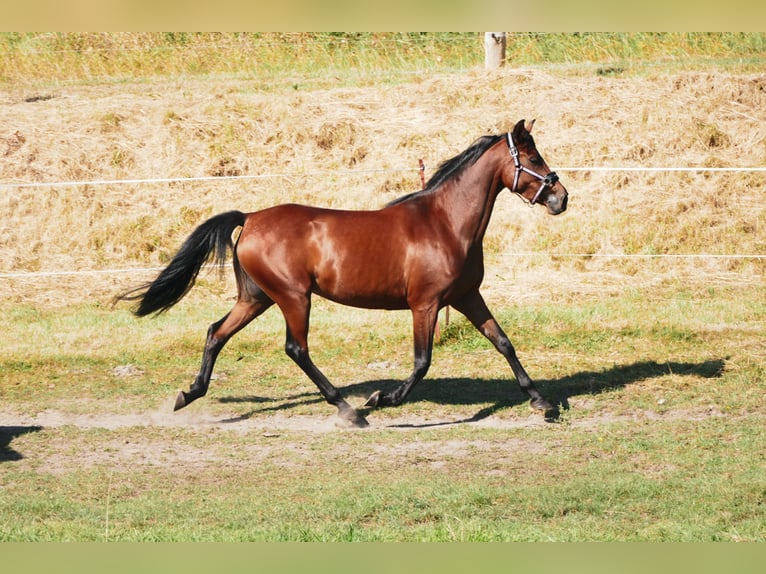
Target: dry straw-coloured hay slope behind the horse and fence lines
(359, 147)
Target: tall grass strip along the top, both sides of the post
(30, 58)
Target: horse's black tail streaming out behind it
(211, 238)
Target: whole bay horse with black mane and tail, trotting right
(421, 252)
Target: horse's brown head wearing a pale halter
(527, 174)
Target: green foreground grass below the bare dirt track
(663, 482)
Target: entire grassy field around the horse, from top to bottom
(640, 312)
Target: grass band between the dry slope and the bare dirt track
(73, 350)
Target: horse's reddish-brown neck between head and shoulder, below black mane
(467, 201)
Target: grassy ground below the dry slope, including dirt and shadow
(659, 438)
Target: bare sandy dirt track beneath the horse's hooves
(275, 439)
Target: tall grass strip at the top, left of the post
(291, 57)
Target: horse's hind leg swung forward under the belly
(296, 347)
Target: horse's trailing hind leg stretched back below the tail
(244, 311)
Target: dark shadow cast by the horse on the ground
(500, 393)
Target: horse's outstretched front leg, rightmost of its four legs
(475, 309)
